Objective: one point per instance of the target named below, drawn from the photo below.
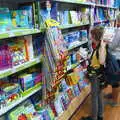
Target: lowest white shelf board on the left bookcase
(17, 102)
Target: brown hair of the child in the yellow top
(97, 32)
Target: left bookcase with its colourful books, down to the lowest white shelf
(19, 45)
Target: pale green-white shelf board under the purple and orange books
(18, 68)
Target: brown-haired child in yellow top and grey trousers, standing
(95, 69)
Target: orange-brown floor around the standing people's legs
(111, 113)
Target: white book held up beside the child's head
(109, 33)
